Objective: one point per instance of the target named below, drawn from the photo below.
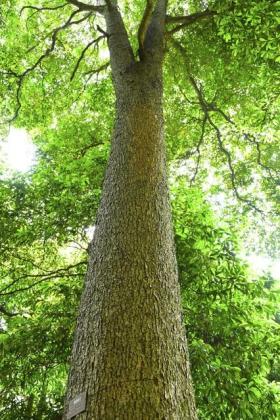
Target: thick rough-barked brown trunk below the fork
(130, 353)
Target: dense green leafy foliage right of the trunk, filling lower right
(233, 337)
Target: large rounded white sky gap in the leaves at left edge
(18, 151)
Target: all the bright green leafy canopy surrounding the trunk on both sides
(221, 97)
